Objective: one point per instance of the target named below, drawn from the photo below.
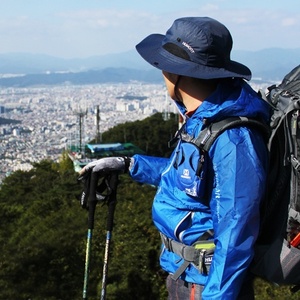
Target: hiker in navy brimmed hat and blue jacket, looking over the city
(214, 197)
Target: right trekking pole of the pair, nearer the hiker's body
(112, 199)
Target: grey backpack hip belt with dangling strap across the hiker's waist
(188, 253)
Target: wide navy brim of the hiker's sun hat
(152, 51)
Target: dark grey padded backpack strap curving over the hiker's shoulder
(208, 135)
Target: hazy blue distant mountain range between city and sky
(23, 69)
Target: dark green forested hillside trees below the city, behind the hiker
(43, 234)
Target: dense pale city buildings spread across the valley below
(54, 118)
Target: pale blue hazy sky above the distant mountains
(85, 28)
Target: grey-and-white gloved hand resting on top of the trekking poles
(107, 165)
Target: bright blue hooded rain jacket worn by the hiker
(226, 198)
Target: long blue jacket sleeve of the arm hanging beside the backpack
(239, 161)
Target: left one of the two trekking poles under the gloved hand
(91, 215)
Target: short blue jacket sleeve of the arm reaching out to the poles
(148, 169)
